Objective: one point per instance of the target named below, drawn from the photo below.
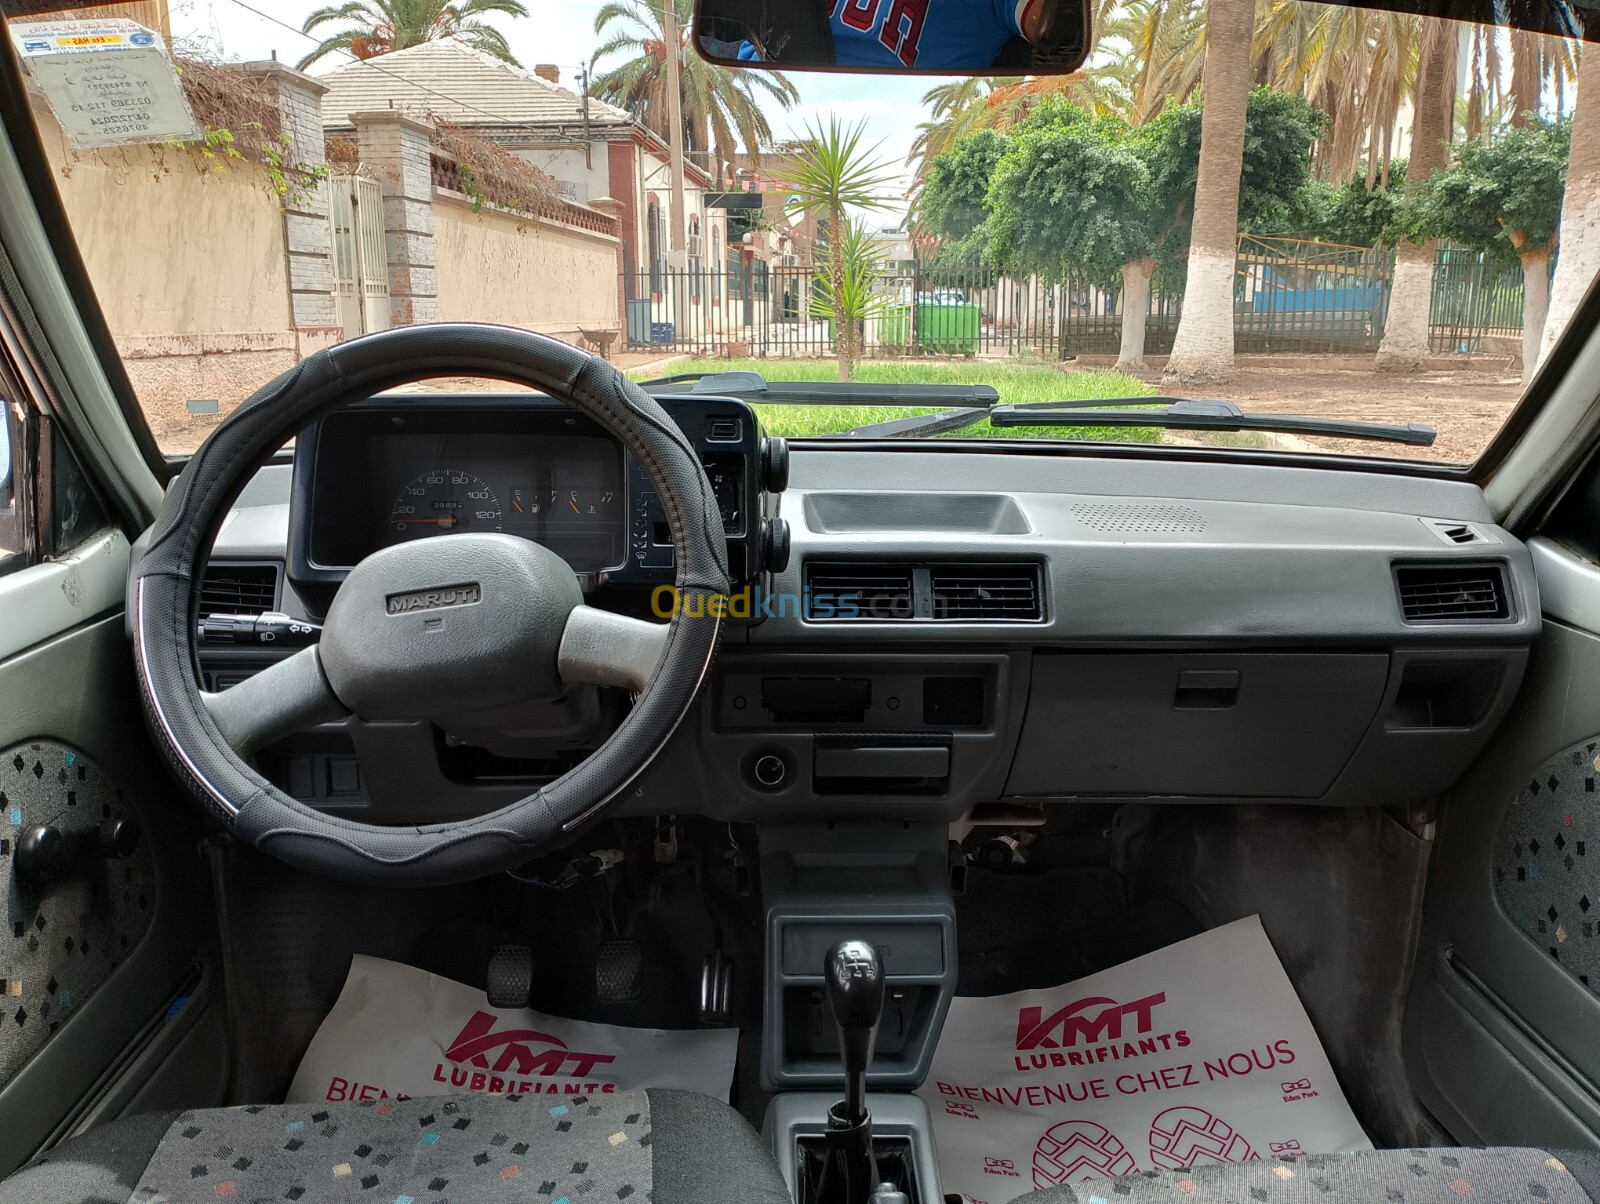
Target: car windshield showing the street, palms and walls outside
(1370, 220)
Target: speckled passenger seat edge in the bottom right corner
(1444, 1176)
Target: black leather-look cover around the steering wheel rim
(201, 497)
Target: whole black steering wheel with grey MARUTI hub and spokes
(455, 622)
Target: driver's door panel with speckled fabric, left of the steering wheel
(76, 697)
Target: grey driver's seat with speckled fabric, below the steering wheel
(628, 1149)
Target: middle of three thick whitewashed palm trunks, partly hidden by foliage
(1406, 332)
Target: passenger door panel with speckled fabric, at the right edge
(1503, 1024)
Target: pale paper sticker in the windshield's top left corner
(108, 82)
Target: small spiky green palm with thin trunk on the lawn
(833, 174)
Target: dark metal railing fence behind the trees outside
(1289, 297)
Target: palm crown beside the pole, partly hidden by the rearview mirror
(721, 108)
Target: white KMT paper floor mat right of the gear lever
(1194, 1054)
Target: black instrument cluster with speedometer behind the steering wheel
(402, 468)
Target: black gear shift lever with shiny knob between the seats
(854, 979)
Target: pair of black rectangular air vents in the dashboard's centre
(924, 593)
